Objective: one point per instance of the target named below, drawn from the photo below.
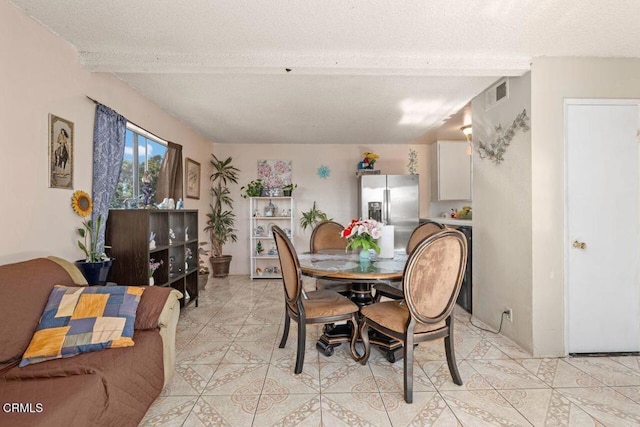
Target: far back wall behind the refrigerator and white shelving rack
(336, 195)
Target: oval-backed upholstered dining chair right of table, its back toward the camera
(432, 280)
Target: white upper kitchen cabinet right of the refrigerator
(451, 171)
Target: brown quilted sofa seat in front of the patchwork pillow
(114, 387)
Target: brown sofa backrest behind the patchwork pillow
(24, 289)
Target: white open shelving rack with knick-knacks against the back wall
(264, 212)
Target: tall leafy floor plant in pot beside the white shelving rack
(221, 219)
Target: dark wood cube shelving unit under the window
(176, 235)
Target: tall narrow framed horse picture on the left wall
(60, 153)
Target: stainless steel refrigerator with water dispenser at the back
(393, 200)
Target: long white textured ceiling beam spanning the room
(323, 64)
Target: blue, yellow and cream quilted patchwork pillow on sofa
(83, 319)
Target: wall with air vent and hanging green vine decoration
(502, 217)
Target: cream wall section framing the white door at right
(553, 80)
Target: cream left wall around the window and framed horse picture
(40, 74)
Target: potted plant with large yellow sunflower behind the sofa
(96, 264)
